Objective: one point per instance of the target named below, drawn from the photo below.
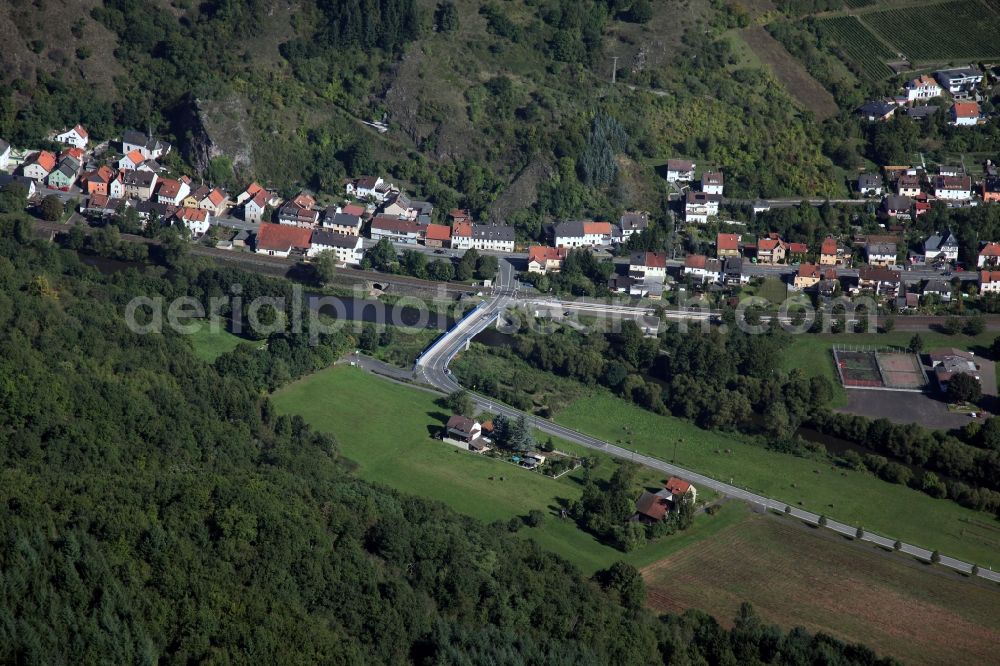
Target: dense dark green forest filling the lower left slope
(154, 509)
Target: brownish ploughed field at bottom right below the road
(853, 591)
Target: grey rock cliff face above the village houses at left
(211, 128)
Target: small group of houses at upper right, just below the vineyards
(961, 84)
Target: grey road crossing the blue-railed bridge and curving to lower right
(432, 367)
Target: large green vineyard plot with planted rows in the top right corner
(940, 32)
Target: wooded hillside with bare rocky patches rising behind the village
(491, 105)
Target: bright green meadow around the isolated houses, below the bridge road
(386, 429)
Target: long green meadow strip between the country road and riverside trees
(853, 497)
